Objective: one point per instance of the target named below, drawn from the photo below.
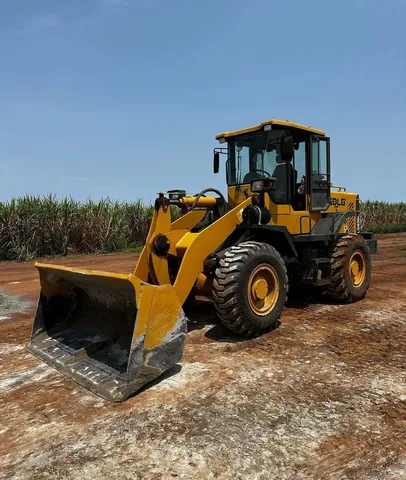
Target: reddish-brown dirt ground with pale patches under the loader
(321, 397)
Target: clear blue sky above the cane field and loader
(123, 98)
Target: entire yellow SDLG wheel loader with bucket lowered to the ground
(282, 224)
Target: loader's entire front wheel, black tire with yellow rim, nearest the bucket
(250, 288)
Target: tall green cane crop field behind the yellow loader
(33, 227)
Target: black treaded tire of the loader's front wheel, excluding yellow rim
(230, 288)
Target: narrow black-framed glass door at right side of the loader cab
(319, 173)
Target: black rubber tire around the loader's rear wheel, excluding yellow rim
(342, 286)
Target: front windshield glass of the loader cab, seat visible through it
(258, 155)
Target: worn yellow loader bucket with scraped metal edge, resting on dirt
(109, 332)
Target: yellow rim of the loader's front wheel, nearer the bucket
(263, 289)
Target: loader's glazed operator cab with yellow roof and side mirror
(295, 156)
